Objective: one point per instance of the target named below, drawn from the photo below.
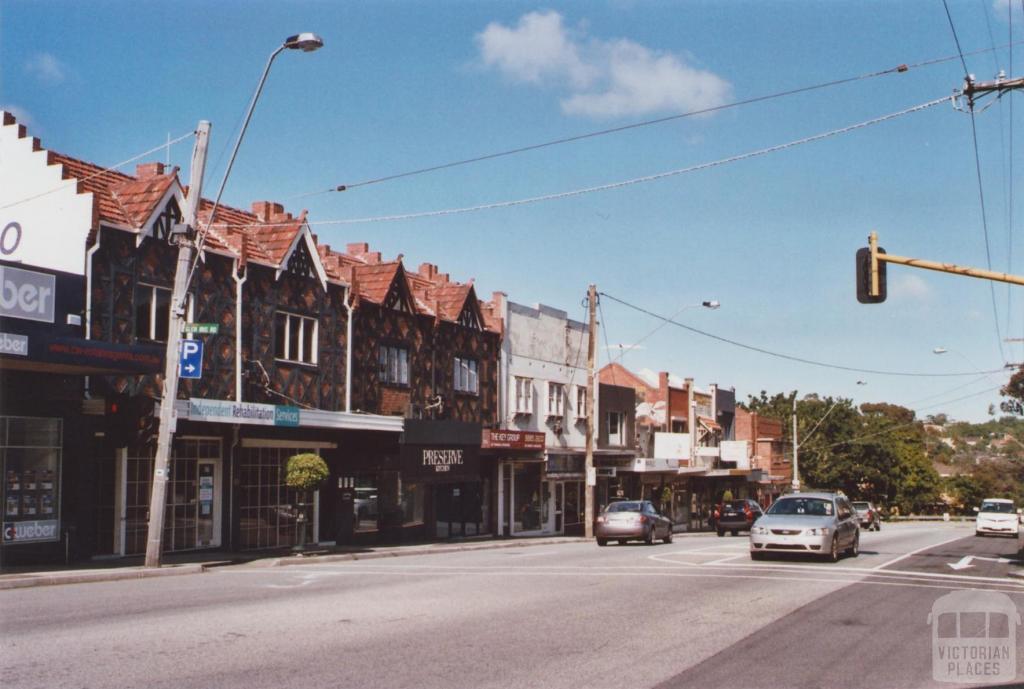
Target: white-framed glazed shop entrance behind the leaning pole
(192, 521)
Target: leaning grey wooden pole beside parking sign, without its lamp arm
(184, 235)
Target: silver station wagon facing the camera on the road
(812, 524)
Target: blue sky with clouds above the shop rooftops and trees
(405, 85)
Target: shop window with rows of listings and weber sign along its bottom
(31, 450)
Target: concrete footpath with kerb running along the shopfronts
(199, 563)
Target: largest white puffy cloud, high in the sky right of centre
(605, 79)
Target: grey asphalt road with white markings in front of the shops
(695, 614)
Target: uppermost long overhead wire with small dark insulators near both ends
(636, 125)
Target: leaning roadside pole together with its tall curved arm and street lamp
(158, 499)
